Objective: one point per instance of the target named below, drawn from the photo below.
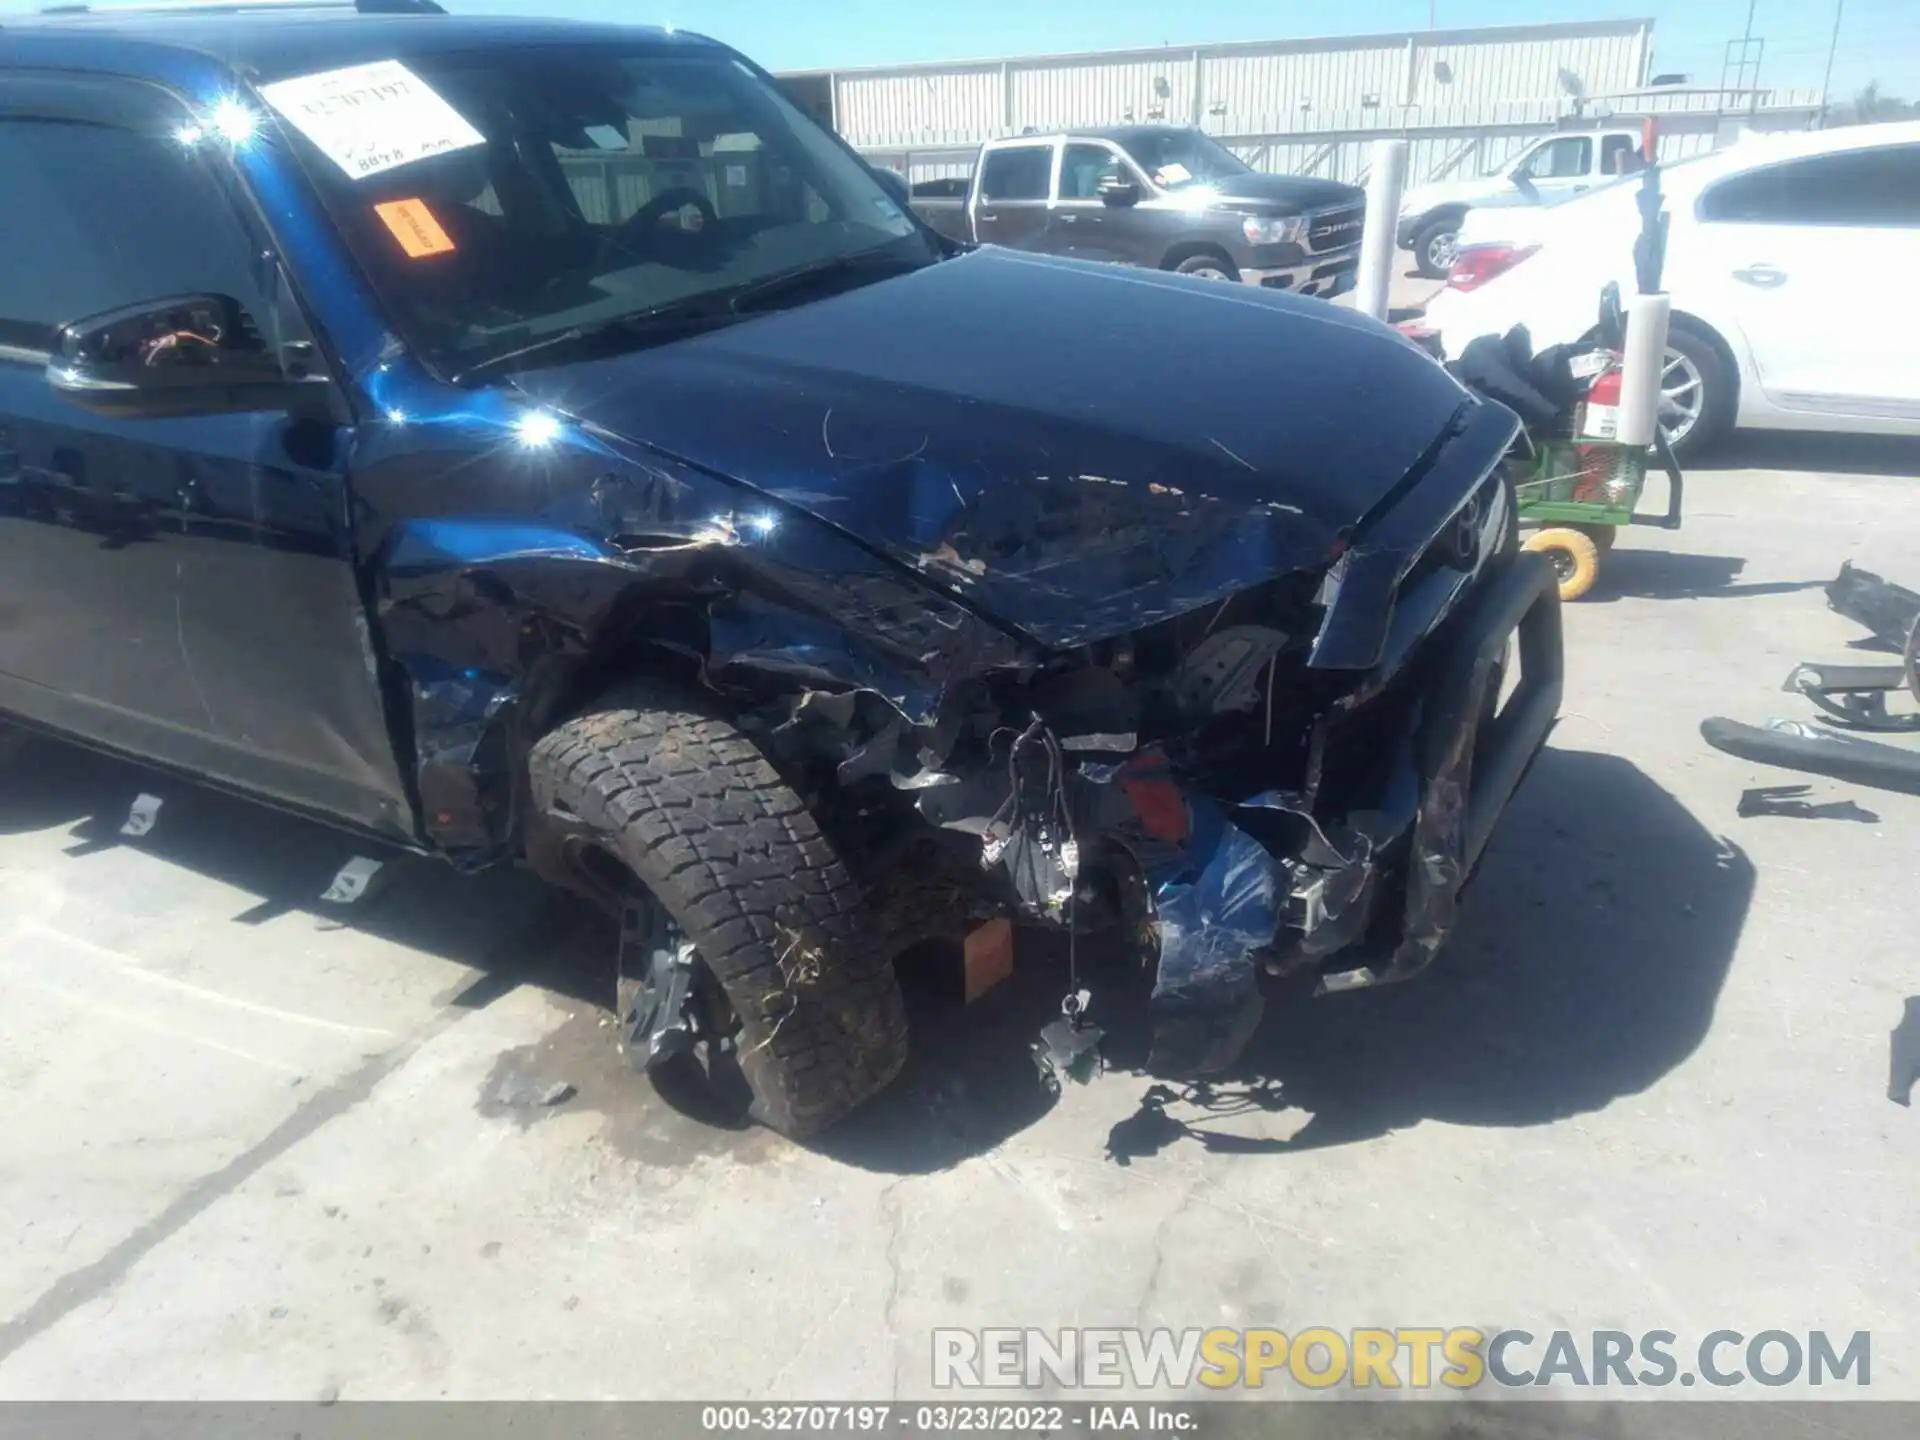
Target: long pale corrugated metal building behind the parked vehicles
(1466, 99)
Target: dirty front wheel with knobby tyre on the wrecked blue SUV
(752, 901)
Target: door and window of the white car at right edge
(1802, 256)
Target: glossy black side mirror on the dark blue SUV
(176, 358)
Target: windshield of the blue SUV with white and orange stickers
(575, 187)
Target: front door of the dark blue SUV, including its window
(176, 588)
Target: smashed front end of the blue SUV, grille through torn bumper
(1293, 779)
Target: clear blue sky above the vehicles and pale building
(1879, 39)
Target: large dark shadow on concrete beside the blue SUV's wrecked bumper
(1587, 965)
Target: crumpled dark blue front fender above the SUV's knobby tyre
(510, 581)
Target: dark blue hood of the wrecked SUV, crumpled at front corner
(1072, 450)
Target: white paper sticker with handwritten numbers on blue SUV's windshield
(372, 118)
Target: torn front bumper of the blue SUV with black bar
(1356, 882)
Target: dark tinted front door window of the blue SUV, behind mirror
(103, 218)
